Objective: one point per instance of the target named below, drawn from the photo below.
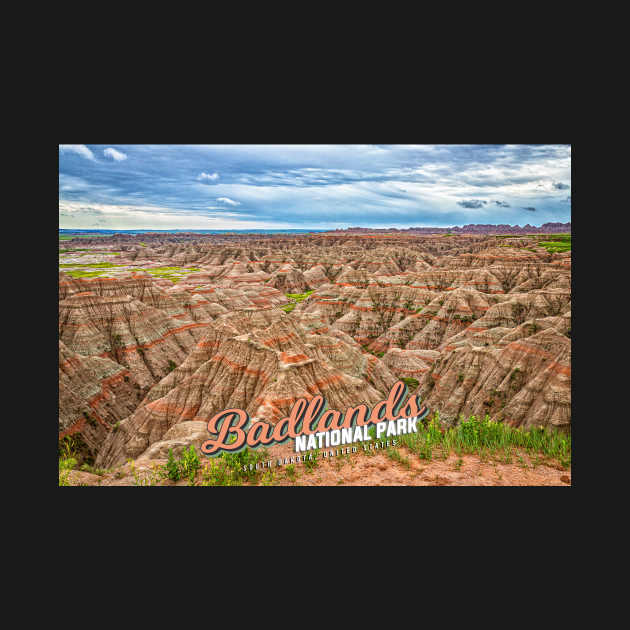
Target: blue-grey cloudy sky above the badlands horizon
(311, 186)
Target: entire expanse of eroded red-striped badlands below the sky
(159, 332)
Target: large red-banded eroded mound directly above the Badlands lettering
(263, 372)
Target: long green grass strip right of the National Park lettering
(485, 436)
